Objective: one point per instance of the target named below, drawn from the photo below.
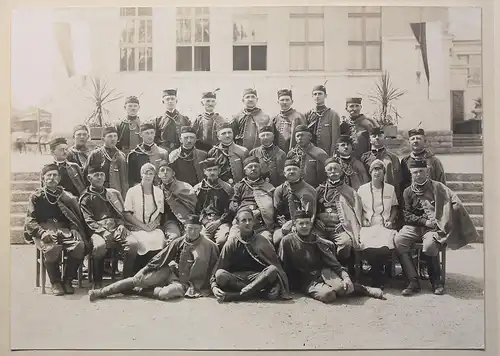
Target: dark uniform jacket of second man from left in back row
(168, 128)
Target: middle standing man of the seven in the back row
(247, 123)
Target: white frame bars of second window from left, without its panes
(192, 17)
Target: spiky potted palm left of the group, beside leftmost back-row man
(101, 95)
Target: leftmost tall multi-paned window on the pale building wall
(136, 42)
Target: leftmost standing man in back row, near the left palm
(129, 134)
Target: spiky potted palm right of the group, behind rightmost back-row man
(383, 96)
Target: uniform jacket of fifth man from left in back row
(284, 126)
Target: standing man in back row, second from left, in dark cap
(168, 126)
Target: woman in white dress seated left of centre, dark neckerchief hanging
(143, 211)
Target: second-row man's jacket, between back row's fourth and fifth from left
(272, 163)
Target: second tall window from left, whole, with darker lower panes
(193, 39)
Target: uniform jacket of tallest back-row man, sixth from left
(325, 128)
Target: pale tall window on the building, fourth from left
(307, 44)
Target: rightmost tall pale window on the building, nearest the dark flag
(364, 48)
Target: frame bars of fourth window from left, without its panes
(307, 14)
